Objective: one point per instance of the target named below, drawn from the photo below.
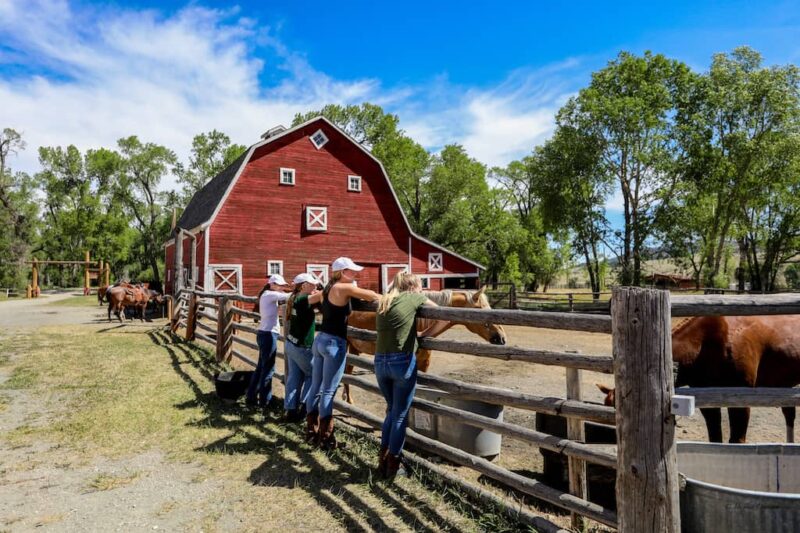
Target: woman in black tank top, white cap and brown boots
(330, 348)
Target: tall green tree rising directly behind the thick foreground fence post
(627, 110)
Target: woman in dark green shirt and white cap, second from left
(299, 339)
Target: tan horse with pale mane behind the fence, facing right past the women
(471, 299)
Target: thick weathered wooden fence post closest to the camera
(647, 473)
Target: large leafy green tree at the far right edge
(726, 124)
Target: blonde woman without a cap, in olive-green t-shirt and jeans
(396, 363)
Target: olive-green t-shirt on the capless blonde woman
(397, 328)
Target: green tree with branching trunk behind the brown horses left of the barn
(141, 169)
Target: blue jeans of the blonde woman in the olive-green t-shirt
(397, 377)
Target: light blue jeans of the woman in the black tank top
(330, 356)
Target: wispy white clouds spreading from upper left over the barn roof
(96, 75)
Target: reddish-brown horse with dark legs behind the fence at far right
(736, 351)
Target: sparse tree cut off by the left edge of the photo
(18, 213)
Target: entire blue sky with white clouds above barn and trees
(487, 76)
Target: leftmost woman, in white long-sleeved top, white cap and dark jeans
(260, 390)
